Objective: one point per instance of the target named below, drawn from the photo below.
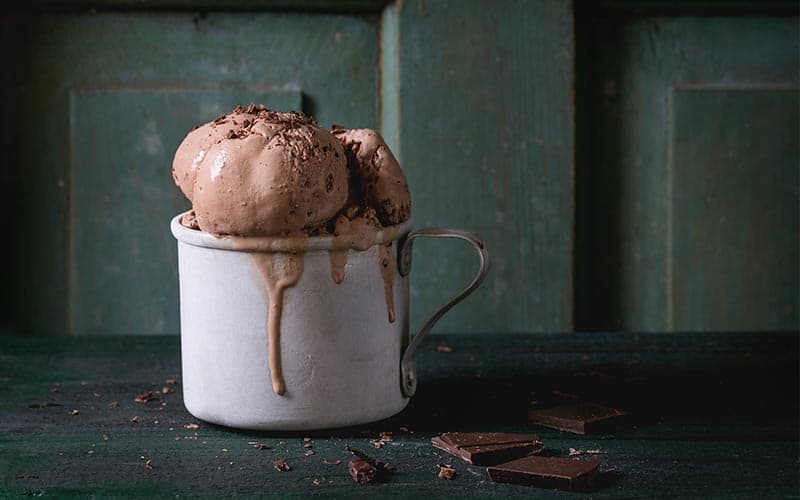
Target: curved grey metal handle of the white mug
(408, 375)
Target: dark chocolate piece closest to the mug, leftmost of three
(487, 448)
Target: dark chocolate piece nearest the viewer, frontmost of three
(548, 472)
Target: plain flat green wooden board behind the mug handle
(485, 125)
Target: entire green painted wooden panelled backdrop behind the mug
(629, 168)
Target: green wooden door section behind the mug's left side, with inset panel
(101, 99)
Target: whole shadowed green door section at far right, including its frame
(688, 188)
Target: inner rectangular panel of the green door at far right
(732, 261)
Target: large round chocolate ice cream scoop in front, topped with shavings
(259, 172)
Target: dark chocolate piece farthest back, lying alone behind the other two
(582, 418)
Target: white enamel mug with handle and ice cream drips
(343, 348)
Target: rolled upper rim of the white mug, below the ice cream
(300, 243)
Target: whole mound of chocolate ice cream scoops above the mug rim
(256, 172)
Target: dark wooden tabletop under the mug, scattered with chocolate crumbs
(714, 415)
